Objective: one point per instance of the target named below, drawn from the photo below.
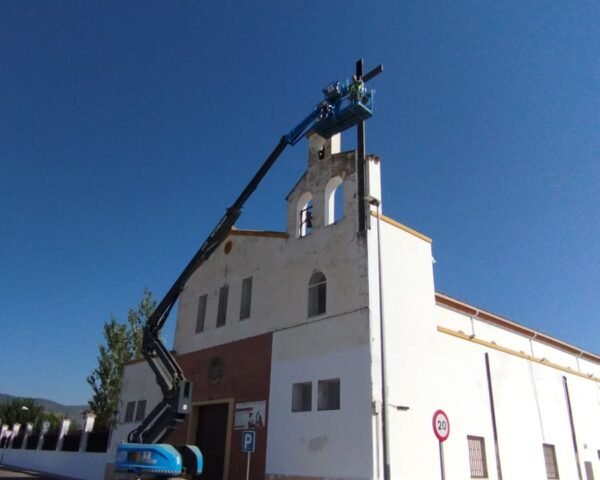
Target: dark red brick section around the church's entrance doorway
(246, 378)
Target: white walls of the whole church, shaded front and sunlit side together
(436, 350)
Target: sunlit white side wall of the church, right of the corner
(429, 370)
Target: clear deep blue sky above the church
(127, 128)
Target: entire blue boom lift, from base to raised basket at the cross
(343, 106)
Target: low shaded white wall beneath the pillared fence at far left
(85, 466)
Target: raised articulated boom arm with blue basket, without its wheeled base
(343, 107)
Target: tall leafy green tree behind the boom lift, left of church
(123, 343)
